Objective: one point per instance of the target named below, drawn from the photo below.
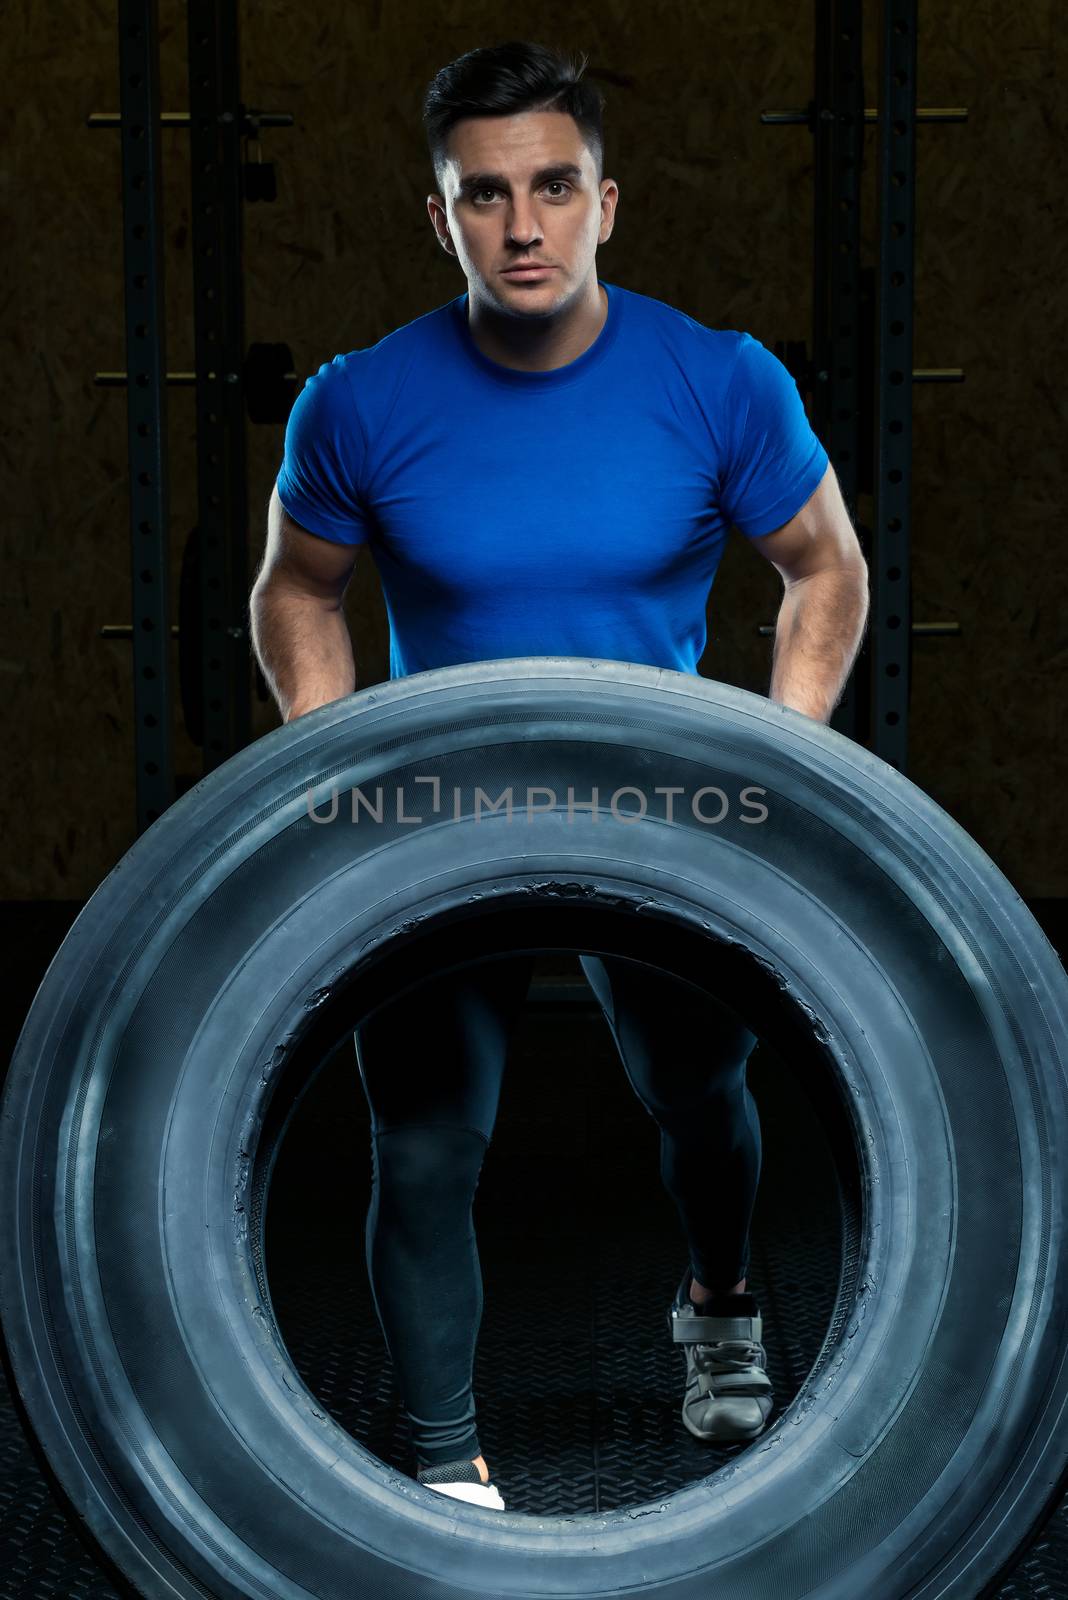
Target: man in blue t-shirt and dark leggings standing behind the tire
(549, 465)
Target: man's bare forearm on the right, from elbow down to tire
(818, 636)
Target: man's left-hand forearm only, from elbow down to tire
(303, 647)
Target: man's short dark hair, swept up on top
(501, 81)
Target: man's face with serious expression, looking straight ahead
(524, 190)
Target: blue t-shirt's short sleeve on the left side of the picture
(324, 455)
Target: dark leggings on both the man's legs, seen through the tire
(432, 1066)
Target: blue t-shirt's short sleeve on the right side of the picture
(775, 462)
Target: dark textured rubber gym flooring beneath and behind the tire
(576, 1378)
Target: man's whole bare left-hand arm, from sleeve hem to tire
(298, 622)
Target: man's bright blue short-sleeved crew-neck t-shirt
(575, 513)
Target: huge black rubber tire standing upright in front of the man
(241, 932)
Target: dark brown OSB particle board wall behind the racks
(714, 218)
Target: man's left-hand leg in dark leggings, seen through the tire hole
(431, 1066)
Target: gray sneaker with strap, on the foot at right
(728, 1391)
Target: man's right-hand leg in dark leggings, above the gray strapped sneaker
(687, 1057)
